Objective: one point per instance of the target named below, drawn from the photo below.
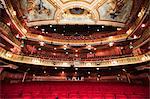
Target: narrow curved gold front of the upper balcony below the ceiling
(76, 42)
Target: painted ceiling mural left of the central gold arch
(38, 9)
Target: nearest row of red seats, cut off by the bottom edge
(96, 96)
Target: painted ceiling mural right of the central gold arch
(116, 10)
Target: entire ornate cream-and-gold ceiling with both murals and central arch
(106, 12)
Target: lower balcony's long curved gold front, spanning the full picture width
(46, 62)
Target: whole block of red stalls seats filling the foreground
(73, 90)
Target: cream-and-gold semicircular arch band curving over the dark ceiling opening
(79, 4)
